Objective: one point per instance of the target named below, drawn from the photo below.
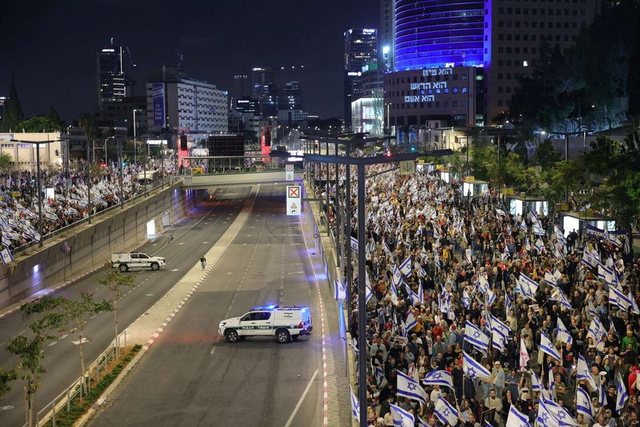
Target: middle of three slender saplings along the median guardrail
(76, 314)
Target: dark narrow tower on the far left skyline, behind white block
(110, 75)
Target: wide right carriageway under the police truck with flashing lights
(192, 377)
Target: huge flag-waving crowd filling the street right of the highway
(478, 316)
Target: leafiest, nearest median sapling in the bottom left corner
(45, 319)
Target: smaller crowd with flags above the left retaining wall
(65, 199)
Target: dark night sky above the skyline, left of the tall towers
(50, 46)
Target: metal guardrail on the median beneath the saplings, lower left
(62, 402)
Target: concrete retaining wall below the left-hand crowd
(88, 246)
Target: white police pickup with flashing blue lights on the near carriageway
(282, 322)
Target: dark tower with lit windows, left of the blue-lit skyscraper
(360, 49)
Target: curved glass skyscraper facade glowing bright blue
(441, 33)
